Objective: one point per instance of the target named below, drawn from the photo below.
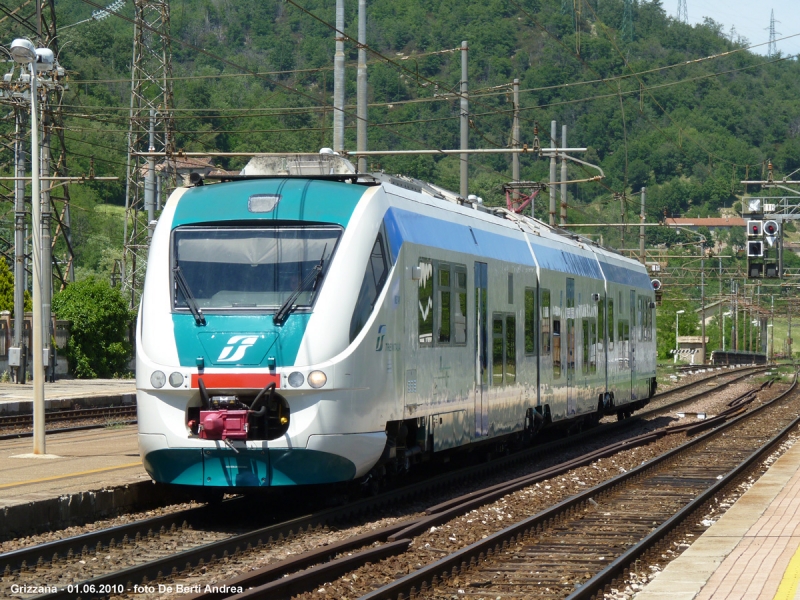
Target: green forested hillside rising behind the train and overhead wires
(651, 112)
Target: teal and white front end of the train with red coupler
(246, 340)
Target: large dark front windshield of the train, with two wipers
(230, 268)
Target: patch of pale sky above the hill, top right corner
(750, 18)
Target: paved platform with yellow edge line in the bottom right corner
(751, 553)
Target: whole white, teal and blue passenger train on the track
(304, 324)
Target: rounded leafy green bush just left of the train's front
(99, 318)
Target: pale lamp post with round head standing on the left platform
(24, 53)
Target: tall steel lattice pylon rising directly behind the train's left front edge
(151, 128)
